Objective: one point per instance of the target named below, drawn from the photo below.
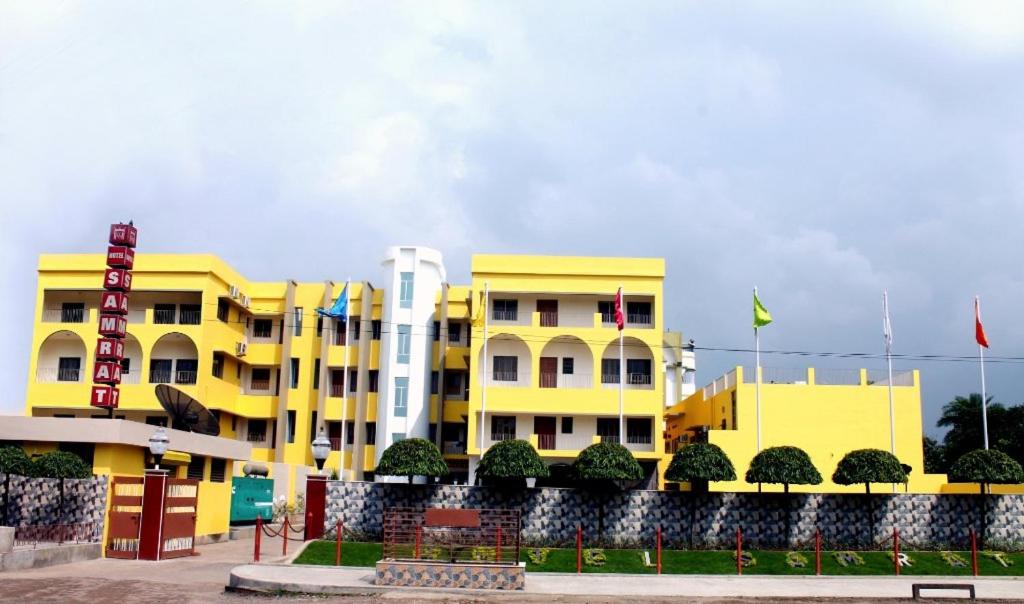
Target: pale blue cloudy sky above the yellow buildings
(822, 152)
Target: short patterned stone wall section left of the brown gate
(37, 502)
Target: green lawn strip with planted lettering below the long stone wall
(700, 563)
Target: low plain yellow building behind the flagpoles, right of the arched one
(826, 412)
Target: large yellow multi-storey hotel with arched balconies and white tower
(275, 372)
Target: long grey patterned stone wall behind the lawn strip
(550, 516)
